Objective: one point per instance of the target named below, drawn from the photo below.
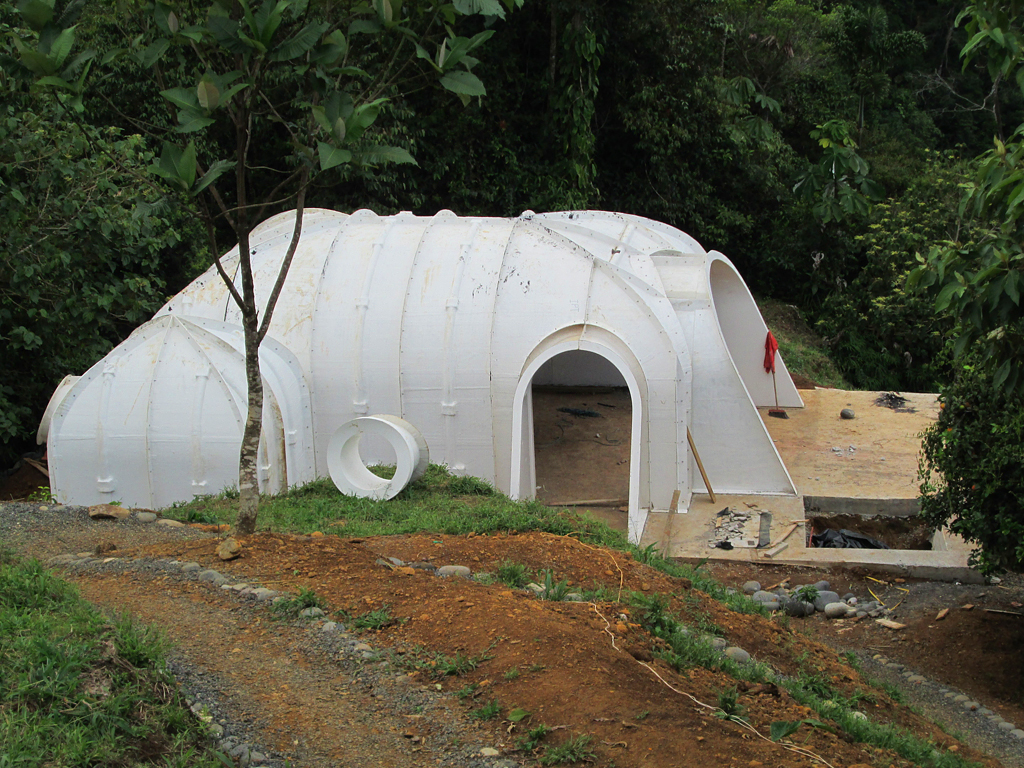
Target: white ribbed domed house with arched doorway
(444, 322)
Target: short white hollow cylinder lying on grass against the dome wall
(353, 478)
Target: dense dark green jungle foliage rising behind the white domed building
(822, 146)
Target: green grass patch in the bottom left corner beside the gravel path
(79, 690)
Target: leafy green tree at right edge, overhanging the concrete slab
(972, 457)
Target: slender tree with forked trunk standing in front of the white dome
(305, 83)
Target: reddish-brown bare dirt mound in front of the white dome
(579, 669)
